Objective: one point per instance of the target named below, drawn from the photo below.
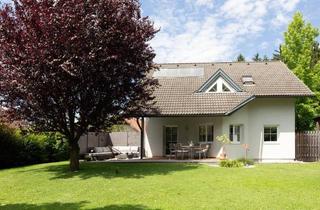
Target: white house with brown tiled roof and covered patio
(252, 103)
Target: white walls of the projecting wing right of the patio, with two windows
(262, 112)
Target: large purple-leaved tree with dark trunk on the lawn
(70, 64)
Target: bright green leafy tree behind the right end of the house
(300, 52)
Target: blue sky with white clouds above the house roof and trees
(218, 30)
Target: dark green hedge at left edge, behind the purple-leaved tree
(17, 149)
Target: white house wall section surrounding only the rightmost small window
(279, 112)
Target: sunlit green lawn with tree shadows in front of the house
(160, 186)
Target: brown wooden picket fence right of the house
(308, 146)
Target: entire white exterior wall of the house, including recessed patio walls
(253, 117)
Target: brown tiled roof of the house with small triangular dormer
(182, 96)
